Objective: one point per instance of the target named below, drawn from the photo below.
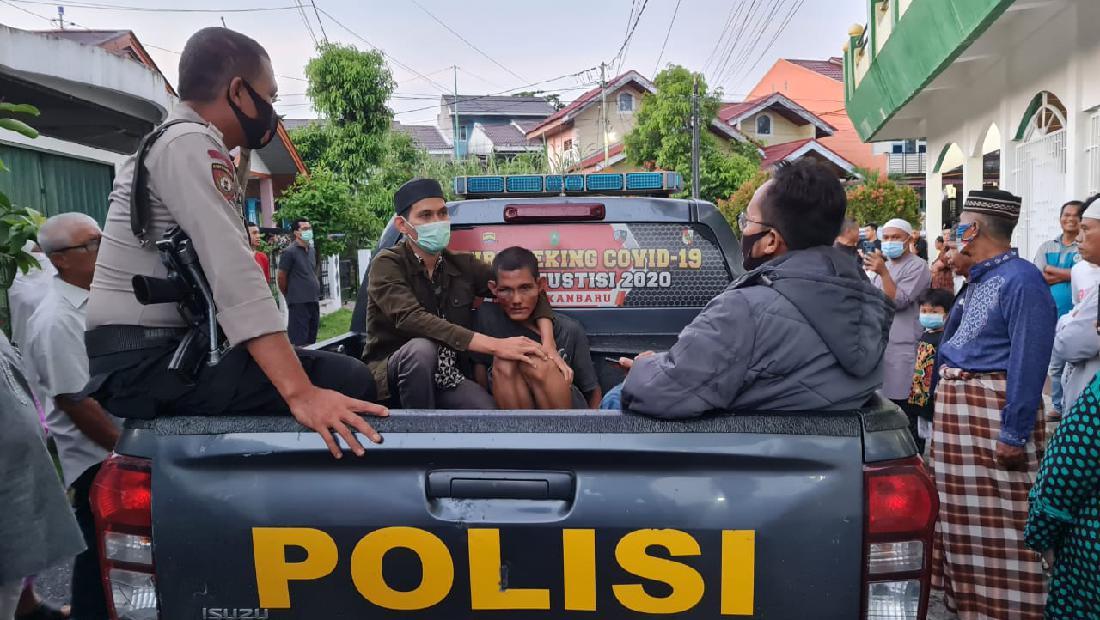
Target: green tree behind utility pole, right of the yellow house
(663, 138)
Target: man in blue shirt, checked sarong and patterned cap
(987, 435)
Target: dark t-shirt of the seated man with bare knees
(568, 335)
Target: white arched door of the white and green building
(1041, 182)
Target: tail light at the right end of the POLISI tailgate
(901, 508)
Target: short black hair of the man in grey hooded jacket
(806, 203)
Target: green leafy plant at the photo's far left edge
(18, 225)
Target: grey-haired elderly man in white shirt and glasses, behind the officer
(56, 357)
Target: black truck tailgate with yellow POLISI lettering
(509, 516)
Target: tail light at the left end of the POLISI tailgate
(123, 502)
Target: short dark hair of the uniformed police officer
(213, 58)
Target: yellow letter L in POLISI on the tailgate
(487, 589)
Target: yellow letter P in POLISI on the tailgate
(274, 573)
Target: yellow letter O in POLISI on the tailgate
(438, 570)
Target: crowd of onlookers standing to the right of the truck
(970, 345)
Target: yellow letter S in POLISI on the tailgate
(686, 582)
